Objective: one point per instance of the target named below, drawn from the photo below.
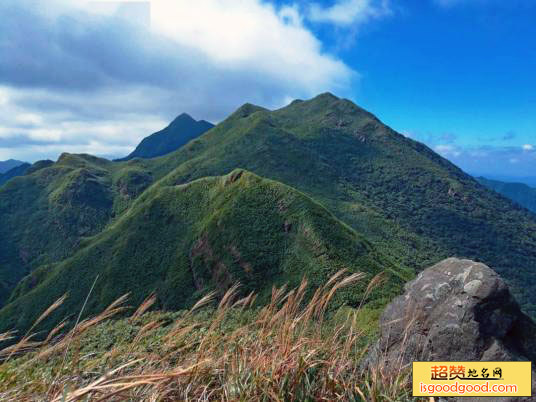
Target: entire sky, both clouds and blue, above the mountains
(96, 77)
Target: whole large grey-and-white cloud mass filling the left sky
(98, 76)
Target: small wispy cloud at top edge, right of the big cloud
(349, 12)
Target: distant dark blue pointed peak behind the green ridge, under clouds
(181, 130)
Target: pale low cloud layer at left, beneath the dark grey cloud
(31, 137)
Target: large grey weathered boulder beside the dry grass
(456, 310)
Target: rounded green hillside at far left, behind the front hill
(45, 213)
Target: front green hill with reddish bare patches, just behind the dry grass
(184, 240)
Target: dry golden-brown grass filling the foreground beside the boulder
(285, 351)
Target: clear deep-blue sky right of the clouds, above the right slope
(459, 78)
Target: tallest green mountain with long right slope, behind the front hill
(415, 205)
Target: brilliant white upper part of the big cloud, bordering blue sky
(250, 34)
